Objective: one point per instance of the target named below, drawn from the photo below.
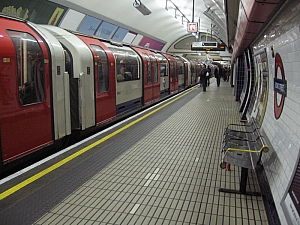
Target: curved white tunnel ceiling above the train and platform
(161, 24)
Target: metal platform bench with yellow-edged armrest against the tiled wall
(243, 146)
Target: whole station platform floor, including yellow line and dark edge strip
(161, 167)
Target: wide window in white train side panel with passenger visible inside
(127, 66)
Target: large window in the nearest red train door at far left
(30, 67)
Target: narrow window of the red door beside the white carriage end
(102, 64)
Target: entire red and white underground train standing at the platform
(54, 82)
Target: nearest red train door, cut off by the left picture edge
(25, 106)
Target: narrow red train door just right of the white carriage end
(105, 83)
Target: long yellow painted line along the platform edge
(35, 177)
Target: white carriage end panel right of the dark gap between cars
(79, 64)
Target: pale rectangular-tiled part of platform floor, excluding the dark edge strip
(171, 176)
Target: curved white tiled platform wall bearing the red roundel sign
(280, 43)
